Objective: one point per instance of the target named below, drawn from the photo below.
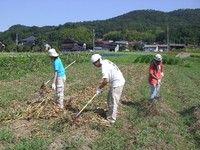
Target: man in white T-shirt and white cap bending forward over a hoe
(110, 74)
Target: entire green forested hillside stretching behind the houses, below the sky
(147, 25)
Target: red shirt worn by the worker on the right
(156, 70)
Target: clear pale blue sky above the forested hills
(58, 12)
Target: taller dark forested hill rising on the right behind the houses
(180, 22)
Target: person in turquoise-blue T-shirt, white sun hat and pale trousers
(58, 82)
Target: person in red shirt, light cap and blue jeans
(155, 76)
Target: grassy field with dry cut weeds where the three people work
(30, 120)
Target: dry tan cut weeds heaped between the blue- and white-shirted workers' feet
(45, 107)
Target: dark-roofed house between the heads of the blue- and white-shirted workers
(72, 45)
